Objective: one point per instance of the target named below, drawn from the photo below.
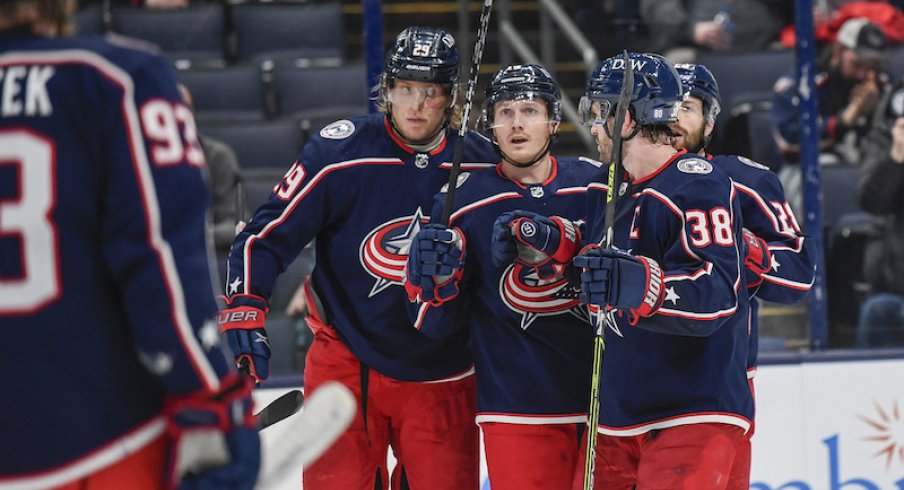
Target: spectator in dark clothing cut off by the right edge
(881, 191)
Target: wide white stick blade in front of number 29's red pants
(303, 438)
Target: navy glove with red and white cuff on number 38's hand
(630, 283)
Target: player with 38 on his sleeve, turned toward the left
(675, 403)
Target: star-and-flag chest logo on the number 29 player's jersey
(384, 251)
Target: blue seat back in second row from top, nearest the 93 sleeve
(229, 93)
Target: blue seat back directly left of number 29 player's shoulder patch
(260, 144)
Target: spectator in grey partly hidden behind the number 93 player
(224, 175)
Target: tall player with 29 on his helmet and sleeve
(362, 189)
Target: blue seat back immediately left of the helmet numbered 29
(316, 88)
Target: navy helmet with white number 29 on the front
(423, 54)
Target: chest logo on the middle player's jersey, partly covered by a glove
(522, 290)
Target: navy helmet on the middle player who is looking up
(523, 82)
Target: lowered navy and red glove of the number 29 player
(243, 323)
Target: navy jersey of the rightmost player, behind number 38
(767, 214)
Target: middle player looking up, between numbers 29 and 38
(531, 337)
